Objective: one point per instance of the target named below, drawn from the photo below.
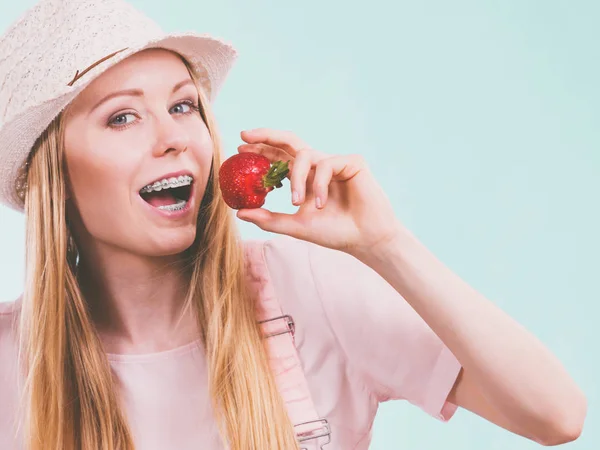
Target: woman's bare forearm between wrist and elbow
(515, 372)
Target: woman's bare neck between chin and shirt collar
(137, 302)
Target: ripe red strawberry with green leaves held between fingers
(245, 179)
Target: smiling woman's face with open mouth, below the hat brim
(138, 157)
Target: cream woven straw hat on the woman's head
(57, 48)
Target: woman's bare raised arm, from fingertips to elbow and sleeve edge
(508, 376)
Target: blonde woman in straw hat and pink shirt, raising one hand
(138, 326)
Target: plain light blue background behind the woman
(479, 118)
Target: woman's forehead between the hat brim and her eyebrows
(145, 70)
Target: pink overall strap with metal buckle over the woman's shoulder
(278, 330)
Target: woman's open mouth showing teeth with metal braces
(169, 194)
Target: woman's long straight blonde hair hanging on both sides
(71, 401)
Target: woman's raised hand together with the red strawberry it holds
(341, 205)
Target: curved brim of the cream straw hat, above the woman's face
(210, 58)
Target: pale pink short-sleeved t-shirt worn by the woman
(360, 343)
